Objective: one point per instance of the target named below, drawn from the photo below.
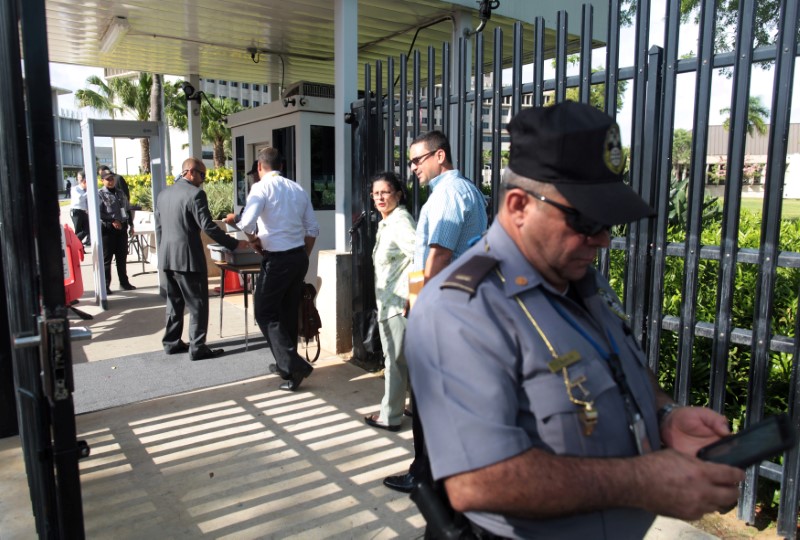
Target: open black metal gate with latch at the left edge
(30, 242)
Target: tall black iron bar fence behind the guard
(471, 97)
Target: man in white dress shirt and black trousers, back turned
(279, 222)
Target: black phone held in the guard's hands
(770, 437)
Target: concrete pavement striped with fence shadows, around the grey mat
(242, 460)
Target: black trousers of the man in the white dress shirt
(279, 289)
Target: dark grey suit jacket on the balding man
(181, 213)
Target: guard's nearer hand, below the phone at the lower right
(676, 485)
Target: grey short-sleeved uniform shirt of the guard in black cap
(480, 374)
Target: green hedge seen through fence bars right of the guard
(783, 319)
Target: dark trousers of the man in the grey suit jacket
(186, 290)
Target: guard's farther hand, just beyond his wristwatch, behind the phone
(688, 429)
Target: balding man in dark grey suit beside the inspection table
(181, 213)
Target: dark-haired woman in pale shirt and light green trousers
(392, 257)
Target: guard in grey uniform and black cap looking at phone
(541, 416)
